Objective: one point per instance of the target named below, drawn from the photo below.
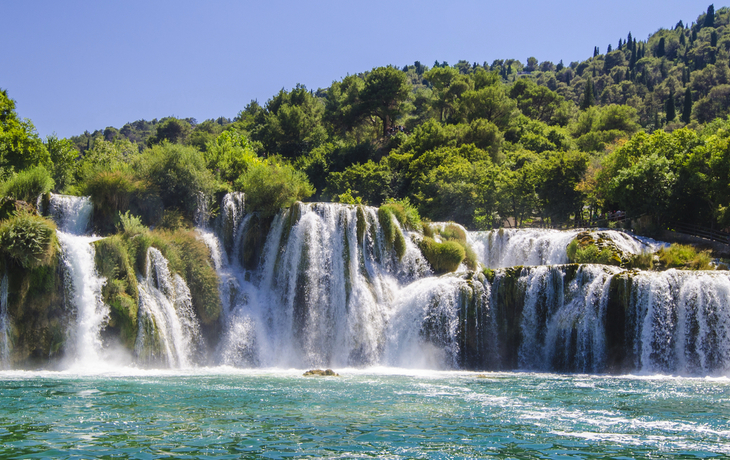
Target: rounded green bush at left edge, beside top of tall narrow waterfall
(29, 239)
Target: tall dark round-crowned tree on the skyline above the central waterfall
(385, 95)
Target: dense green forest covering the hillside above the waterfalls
(641, 128)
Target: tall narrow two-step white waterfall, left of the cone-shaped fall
(72, 215)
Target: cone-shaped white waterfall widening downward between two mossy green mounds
(169, 331)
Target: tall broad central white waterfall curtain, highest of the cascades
(321, 294)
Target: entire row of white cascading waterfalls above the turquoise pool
(319, 284)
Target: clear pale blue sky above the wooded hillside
(73, 66)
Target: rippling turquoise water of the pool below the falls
(225, 413)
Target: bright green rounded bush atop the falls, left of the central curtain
(272, 186)
